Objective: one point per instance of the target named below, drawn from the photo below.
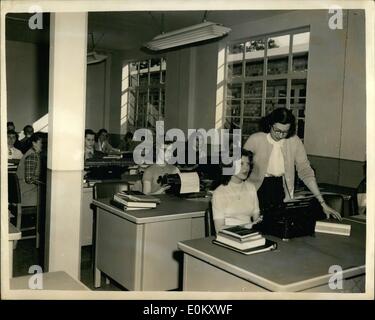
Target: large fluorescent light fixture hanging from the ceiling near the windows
(192, 34)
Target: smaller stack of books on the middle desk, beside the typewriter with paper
(134, 200)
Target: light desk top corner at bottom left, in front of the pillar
(58, 280)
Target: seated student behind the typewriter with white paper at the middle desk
(150, 178)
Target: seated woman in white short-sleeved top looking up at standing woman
(235, 201)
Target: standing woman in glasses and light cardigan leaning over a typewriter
(277, 153)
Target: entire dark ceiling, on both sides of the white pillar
(129, 30)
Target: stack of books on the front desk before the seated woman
(244, 240)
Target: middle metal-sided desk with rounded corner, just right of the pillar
(138, 249)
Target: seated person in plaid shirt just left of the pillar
(29, 172)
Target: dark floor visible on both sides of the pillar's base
(26, 255)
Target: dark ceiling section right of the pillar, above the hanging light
(129, 30)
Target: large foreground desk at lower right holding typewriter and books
(301, 264)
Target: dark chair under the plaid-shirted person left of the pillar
(15, 200)
